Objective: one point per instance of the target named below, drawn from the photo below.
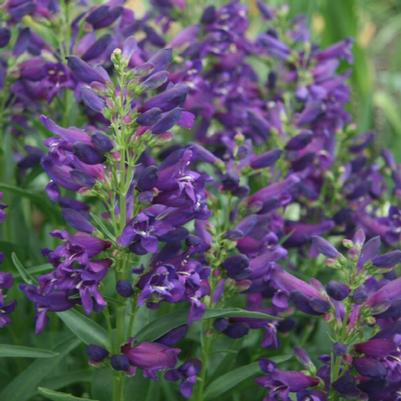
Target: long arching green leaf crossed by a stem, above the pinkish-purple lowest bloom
(160, 326)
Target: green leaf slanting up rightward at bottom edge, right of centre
(229, 380)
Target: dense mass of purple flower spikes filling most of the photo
(209, 168)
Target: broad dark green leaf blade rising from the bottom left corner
(24, 386)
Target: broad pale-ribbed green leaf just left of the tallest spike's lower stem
(84, 328)
